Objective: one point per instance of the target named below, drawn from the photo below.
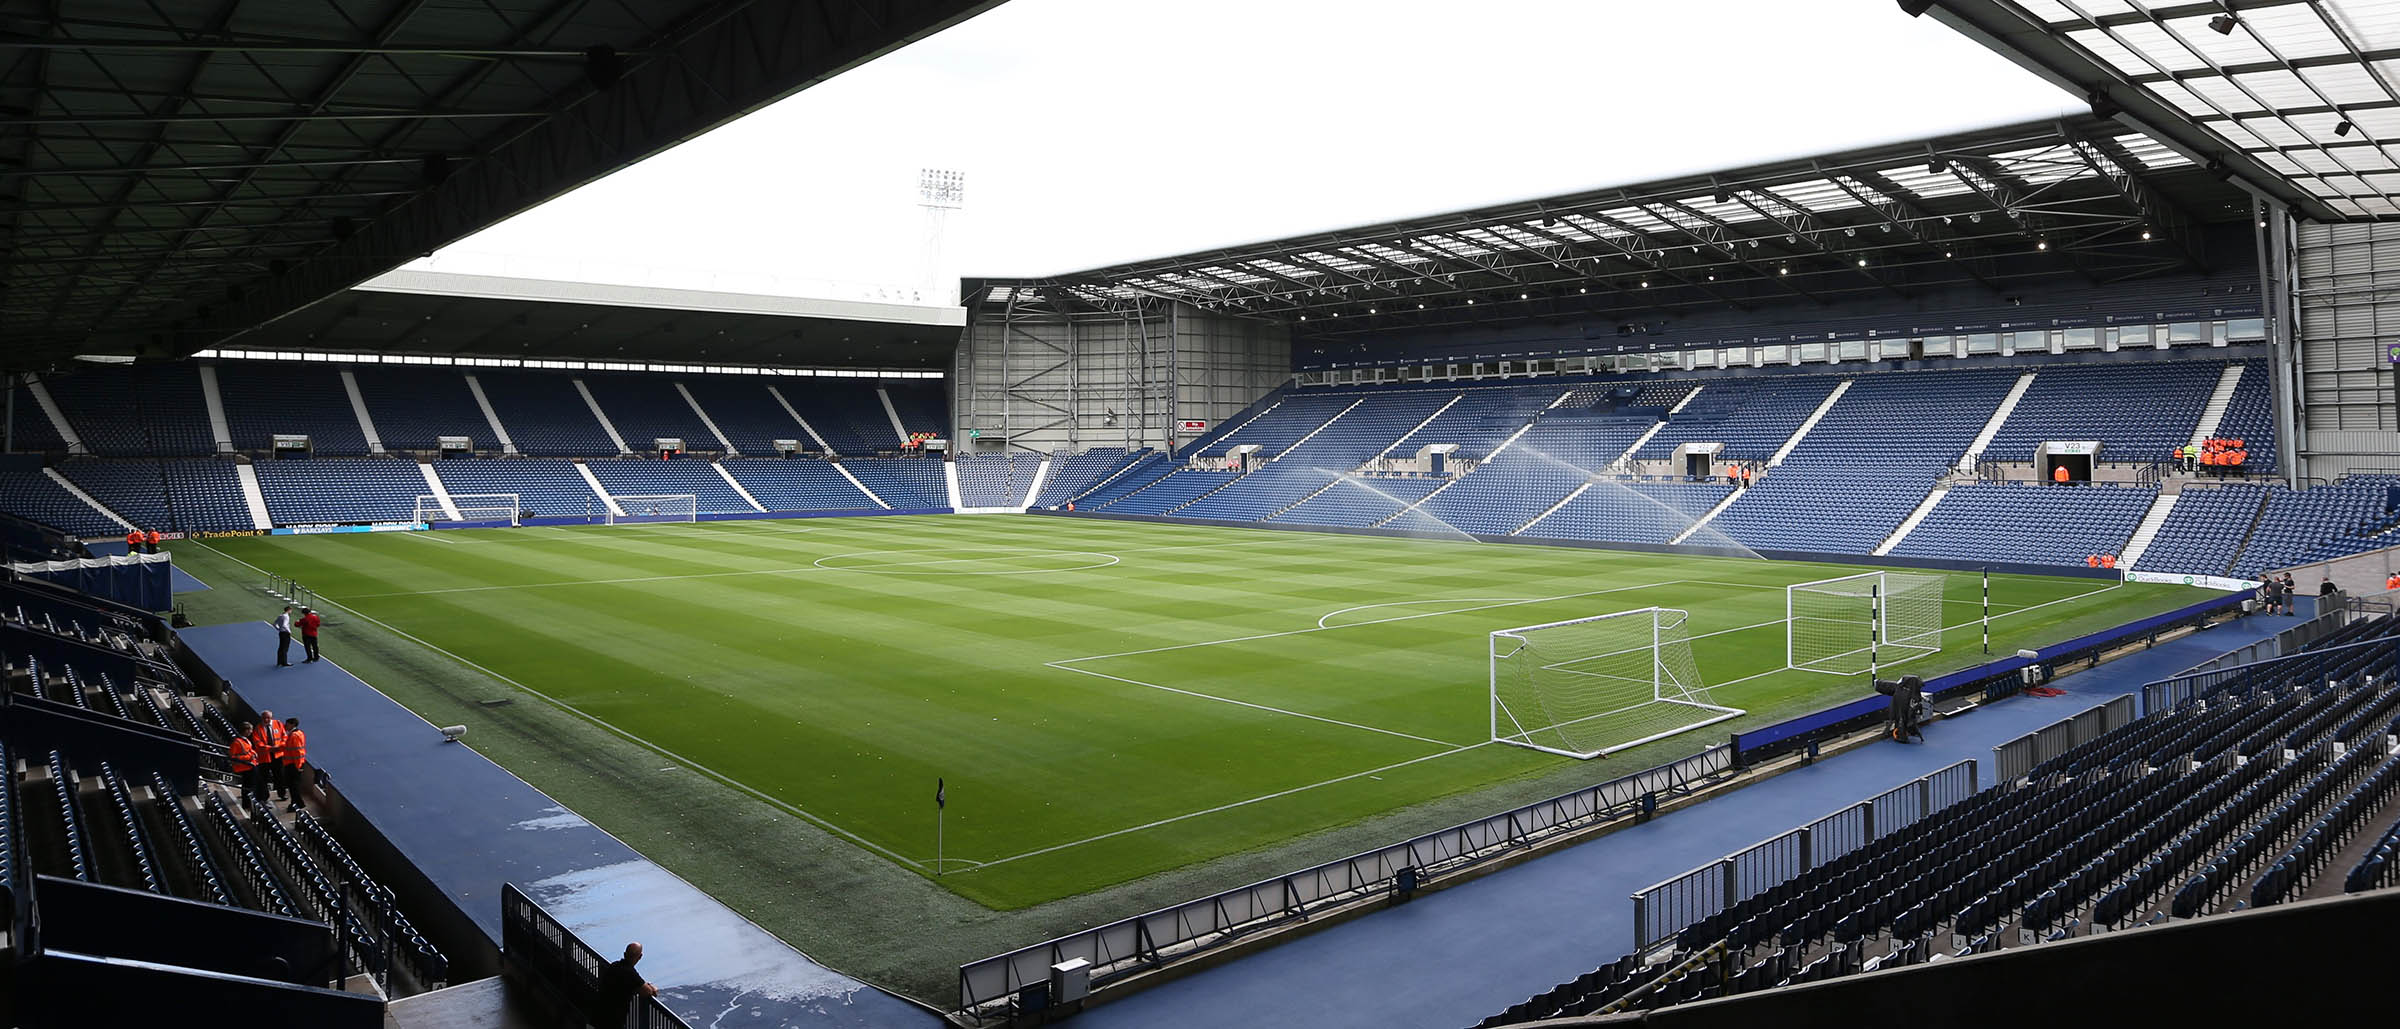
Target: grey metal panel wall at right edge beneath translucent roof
(2348, 318)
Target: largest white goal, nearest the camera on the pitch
(1592, 687)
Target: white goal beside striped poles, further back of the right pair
(1861, 622)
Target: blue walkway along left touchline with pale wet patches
(472, 826)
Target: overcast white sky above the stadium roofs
(1108, 131)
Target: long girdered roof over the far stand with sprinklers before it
(1976, 207)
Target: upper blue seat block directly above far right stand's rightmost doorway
(2135, 411)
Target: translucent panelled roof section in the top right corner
(2300, 100)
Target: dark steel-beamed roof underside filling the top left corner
(181, 174)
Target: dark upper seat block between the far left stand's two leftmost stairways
(136, 409)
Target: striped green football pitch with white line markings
(1103, 699)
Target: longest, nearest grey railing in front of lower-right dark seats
(1667, 908)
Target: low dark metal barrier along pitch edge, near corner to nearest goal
(1127, 946)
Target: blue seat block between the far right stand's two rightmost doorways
(1868, 462)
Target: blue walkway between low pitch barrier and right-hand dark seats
(1456, 956)
